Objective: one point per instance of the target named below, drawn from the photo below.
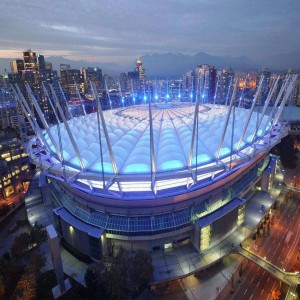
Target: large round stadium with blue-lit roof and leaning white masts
(156, 175)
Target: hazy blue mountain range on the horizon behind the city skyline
(173, 65)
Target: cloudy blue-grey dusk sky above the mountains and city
(119, 31)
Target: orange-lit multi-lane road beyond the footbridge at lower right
(281, 246)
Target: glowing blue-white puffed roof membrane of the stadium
(129, 135)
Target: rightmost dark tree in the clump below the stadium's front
(141, 269)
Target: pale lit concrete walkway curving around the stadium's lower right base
(184, 261)
